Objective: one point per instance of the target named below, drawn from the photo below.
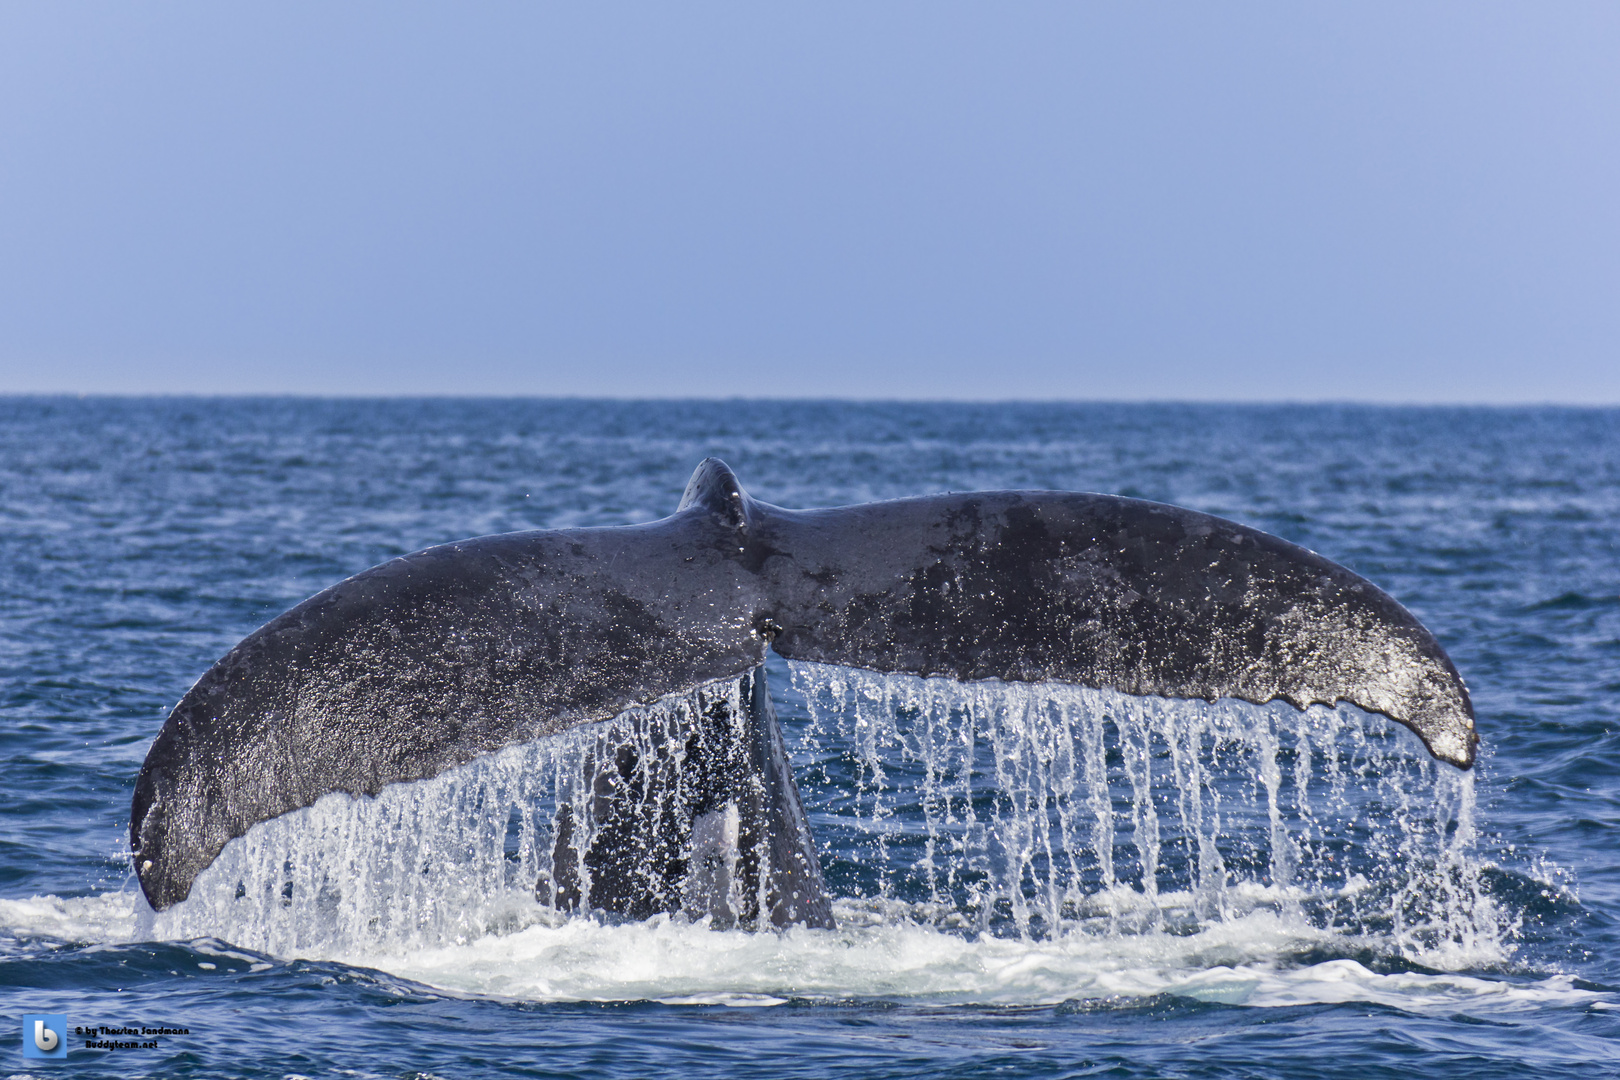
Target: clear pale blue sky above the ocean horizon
(1373, 202)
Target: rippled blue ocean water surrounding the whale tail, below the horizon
(1371, 914)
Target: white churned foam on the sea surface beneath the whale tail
(1245, 961)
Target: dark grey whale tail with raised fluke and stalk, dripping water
(437, 658)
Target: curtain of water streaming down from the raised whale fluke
(978, 809)
